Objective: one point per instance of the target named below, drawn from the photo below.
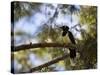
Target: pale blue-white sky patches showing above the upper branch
(32, 24)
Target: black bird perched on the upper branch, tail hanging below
(71, 37)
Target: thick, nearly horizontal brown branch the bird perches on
(40, 45)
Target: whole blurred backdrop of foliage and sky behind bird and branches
(39, 22)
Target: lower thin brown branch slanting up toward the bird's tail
(48, 63)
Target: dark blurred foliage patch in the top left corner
(22, 9)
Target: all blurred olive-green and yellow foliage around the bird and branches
(87, 46)
